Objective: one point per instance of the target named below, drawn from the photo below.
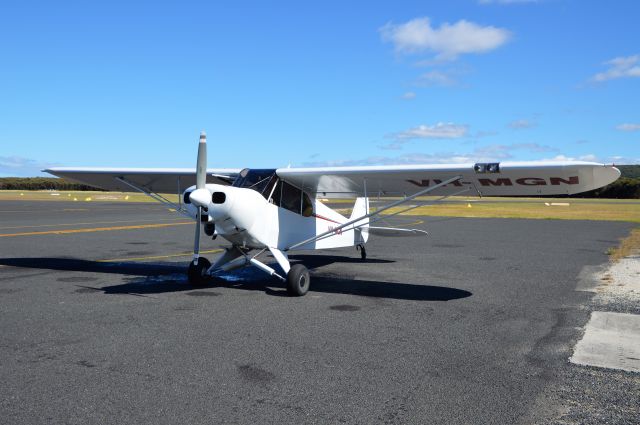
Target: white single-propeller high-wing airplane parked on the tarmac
(278, 210)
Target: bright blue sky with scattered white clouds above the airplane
(131, 84)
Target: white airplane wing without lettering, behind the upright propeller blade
(155, 180)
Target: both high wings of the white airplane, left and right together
(488, 179)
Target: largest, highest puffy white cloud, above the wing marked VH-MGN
(448, 41)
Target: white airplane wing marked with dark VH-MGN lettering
(488, 179)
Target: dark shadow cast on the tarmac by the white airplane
(155, 278)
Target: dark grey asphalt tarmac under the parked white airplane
(473, 324)
